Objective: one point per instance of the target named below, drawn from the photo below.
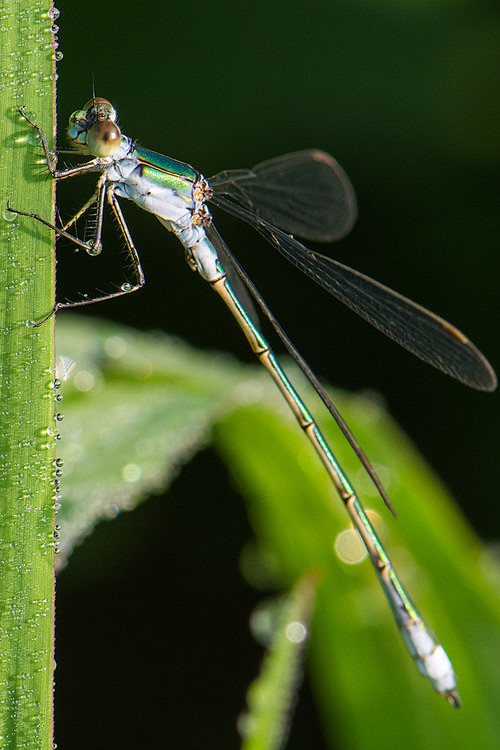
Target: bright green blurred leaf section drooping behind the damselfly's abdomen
(368, 689)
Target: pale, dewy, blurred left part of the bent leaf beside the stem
(138, 406)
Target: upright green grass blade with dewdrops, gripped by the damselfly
(27, 77)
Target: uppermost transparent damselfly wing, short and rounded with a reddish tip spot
(305, 193)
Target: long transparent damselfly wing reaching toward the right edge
(423, 333)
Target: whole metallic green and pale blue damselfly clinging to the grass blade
(305, 193)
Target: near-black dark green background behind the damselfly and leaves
(405, 96)
